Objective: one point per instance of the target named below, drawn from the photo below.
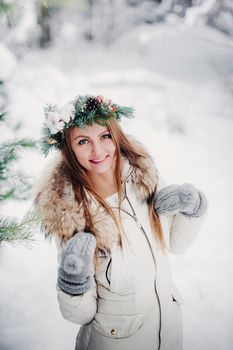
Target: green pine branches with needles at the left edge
(15, 186)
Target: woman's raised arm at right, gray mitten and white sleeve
(182, 210)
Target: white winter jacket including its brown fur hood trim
(134, 304)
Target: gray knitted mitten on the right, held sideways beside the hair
(183, 198)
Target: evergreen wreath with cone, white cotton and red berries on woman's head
(82, 111)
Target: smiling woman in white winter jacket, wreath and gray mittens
(115, 223)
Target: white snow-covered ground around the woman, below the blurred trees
(180, 80)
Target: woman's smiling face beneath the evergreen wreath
(94, 148)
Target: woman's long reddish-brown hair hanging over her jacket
(81, 182)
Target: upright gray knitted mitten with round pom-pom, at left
(75, 274)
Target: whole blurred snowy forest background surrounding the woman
(173, 61)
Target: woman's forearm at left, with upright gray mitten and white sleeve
(75, 283)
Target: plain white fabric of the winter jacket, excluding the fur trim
(135, 304)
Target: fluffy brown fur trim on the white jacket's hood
(60, 213)
